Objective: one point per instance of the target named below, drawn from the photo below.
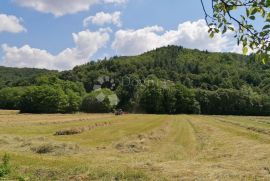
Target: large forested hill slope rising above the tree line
(192, 68)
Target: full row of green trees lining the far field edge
(52, 95)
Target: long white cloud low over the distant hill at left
(87, 43)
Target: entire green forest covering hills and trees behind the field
(168, 80)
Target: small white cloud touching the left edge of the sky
(10, 23)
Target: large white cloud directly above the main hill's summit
(189, 34)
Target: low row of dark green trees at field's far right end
(233, 102)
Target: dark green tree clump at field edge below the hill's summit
(168, 99)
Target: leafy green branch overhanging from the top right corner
(225, 17)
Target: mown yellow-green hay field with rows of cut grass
(135, 147)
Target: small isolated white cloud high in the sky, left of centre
(102, 18)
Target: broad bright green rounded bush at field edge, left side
(49, 99)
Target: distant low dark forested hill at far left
(19, 76)
